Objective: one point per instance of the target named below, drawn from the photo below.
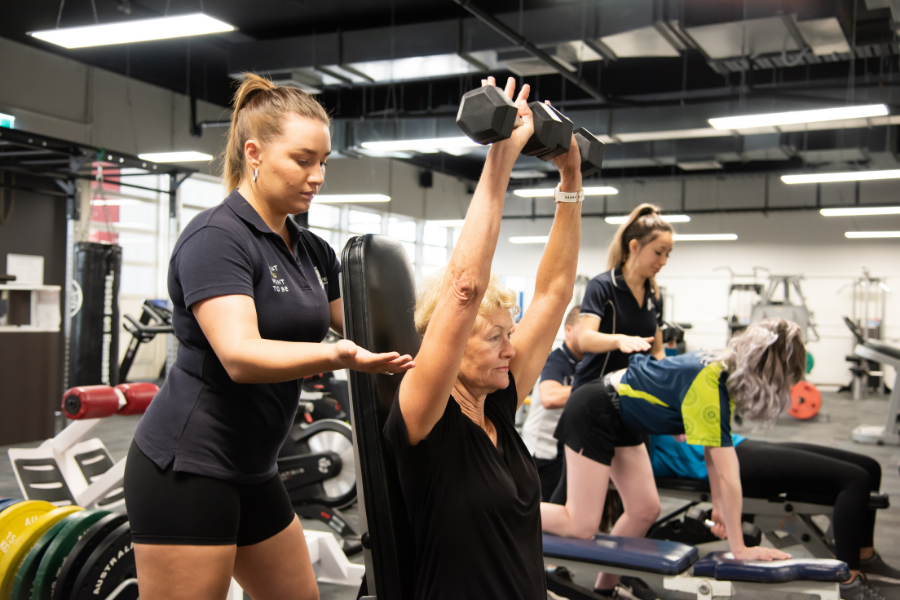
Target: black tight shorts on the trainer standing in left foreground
(168, 507)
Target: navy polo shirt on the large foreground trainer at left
(201, 419)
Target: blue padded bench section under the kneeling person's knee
(652, 556)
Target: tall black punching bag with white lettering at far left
(94, 345)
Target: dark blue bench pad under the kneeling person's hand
(723, 567)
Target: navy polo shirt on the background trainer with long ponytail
(608, 298)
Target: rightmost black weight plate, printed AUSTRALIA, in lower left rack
(109, 566)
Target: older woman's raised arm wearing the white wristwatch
(555, 282)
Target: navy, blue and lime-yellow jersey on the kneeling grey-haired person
(677, 395)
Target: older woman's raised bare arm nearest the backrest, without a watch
(426, 389)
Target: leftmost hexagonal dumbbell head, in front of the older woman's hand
(486, 115)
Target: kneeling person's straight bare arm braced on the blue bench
(725, 486)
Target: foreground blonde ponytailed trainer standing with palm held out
(253, 297)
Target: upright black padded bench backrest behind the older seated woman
(378, 289)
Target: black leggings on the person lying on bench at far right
(845, 478)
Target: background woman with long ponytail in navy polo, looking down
(621, 313)
